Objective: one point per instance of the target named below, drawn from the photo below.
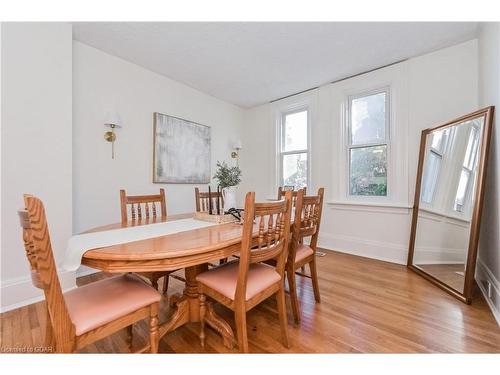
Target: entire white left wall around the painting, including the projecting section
(55, 95)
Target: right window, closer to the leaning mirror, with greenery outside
(368, 143)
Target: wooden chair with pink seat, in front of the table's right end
(241, 285)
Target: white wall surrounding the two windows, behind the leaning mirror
(431, 89)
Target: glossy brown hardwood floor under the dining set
(366, 306)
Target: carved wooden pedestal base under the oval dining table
(187, 309)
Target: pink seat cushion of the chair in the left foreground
(98, 303)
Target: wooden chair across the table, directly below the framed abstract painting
(148, 213)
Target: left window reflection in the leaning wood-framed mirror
(433, 168)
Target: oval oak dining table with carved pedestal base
(191, 250)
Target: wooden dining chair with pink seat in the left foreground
(91, 312)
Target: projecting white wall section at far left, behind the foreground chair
(36, 142)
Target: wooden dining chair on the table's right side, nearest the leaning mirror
(307, 220)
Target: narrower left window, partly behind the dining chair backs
(294, 149)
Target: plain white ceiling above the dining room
(252, 63)
